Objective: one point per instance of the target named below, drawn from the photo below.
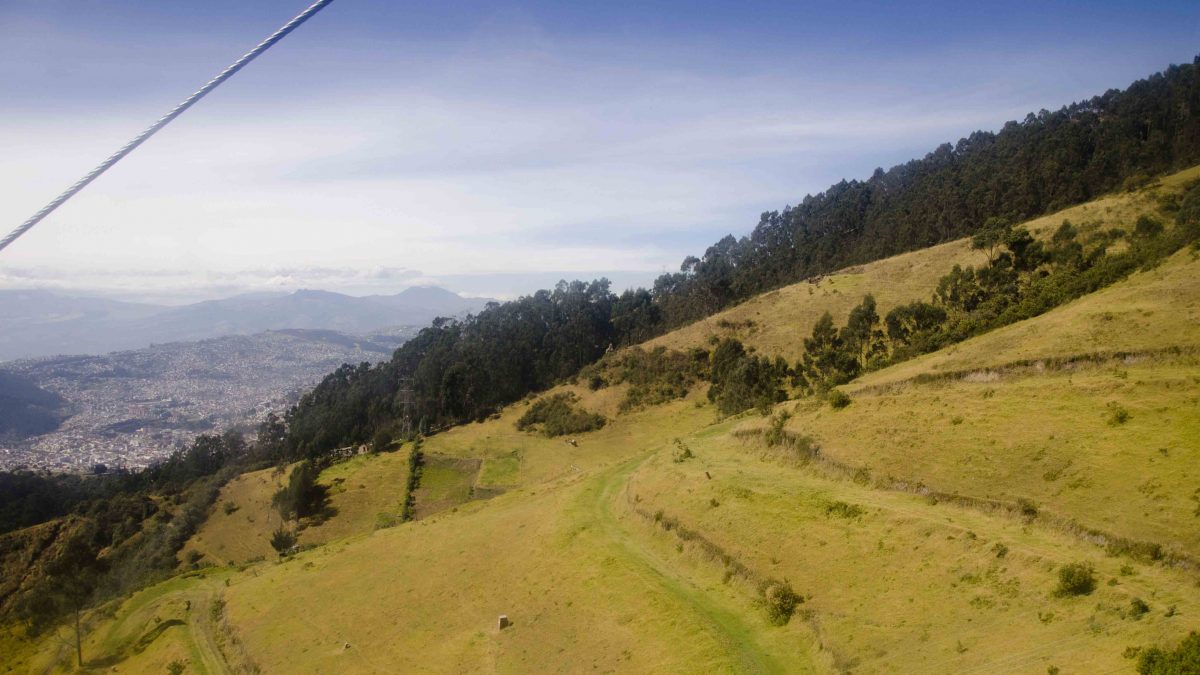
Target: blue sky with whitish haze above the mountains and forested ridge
(494, 148)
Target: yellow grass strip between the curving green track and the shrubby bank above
(909, 587)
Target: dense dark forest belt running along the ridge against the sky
(461, 371)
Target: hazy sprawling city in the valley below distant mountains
(128, 410)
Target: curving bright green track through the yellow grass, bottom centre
(736, 637)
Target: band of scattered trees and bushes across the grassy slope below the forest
(1023, 278)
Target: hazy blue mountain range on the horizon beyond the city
(41, 324)
